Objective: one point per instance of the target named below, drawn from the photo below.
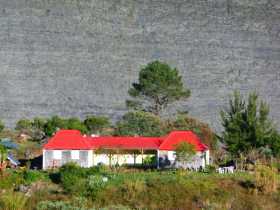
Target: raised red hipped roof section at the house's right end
(175, 137)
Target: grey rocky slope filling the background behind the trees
(79, 57)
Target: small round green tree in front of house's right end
(184, 152)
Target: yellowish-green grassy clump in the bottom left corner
(13, 201)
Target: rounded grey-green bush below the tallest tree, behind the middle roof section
(139, 123)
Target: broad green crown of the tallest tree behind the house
(158, 86)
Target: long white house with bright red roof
(71, 146)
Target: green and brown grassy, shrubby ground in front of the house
(151, 189)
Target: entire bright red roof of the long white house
(72, 139)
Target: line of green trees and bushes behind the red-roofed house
(248, 129)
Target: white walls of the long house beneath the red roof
(87, 158)
